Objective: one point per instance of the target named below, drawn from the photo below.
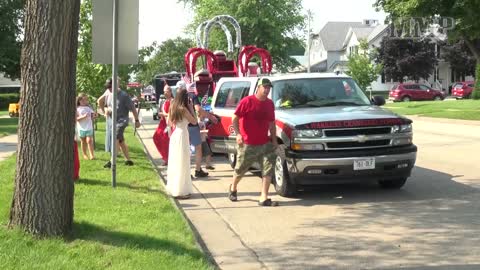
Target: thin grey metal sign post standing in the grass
(114, 92)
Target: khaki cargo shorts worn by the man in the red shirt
(247, 155)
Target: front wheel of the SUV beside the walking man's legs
(280, 178)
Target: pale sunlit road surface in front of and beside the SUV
(430, 224)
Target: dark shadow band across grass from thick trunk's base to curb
(91, 232)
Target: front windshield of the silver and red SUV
(317, 92)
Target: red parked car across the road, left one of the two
(414, 91)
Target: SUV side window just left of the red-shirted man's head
(230, 93)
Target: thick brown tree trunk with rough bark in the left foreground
(43, 194)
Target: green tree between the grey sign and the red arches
(166, 58)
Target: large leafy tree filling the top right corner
(465, 13)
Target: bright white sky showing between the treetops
(165, 19)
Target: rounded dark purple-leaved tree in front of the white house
(409, 58)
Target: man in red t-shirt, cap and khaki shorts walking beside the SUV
(254, 118)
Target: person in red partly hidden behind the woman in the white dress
(161, 137)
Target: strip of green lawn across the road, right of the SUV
(455, 109)
